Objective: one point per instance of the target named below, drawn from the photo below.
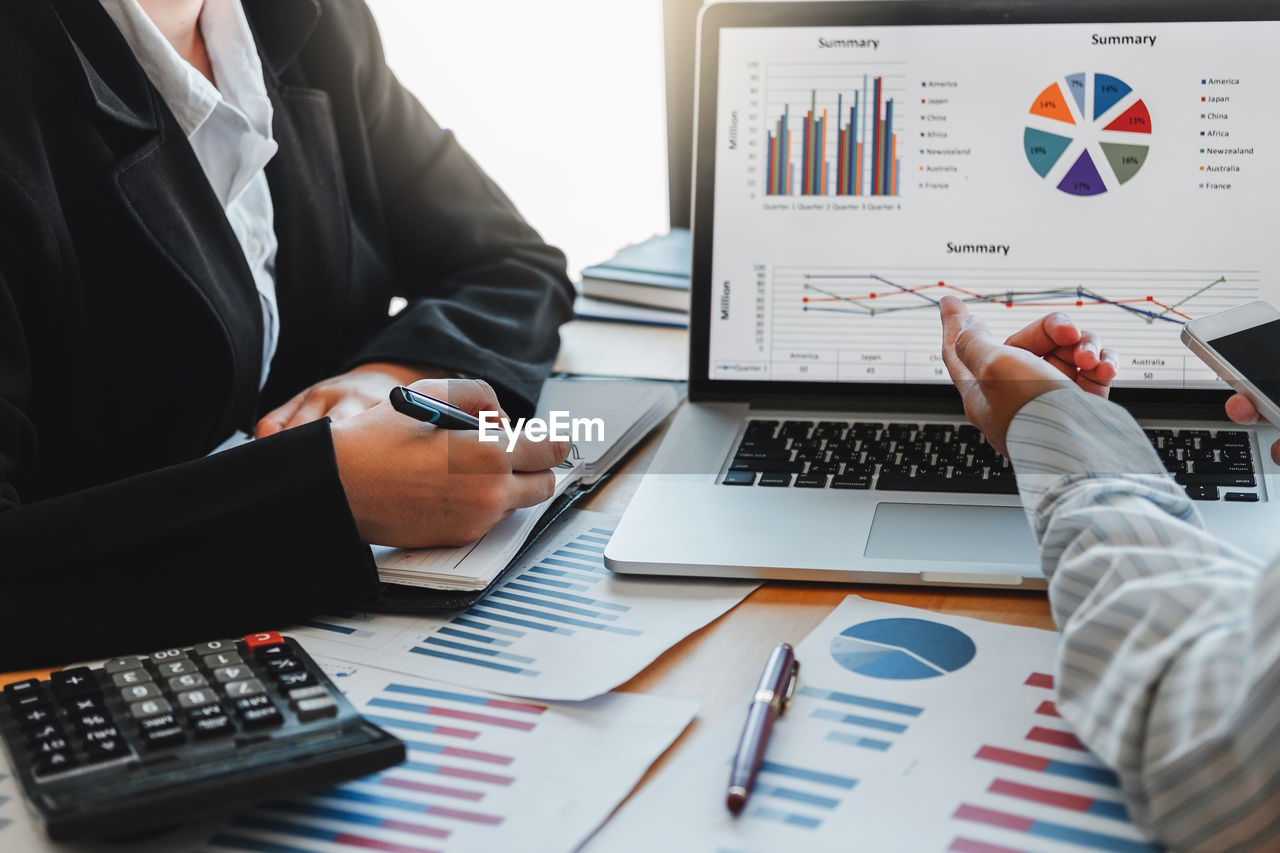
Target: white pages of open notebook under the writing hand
(629, 409)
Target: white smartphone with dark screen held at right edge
(1242, 345)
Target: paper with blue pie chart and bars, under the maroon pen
(909, 732)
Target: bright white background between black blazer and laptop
(561, 102)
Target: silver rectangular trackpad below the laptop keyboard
(952, 535)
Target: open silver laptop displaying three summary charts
(854, 162)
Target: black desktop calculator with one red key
(148, 742)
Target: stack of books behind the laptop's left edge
(644, 284)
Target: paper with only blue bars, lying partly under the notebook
(559, 627)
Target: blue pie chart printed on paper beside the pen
(902, 649)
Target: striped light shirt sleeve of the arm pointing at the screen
(1169, 667)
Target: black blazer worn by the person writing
(131, 331)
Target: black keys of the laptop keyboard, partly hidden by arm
(956, 458)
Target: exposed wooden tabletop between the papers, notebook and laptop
(719, 665)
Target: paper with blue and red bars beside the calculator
(483, 773)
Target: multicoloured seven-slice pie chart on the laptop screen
(1089, 134)
